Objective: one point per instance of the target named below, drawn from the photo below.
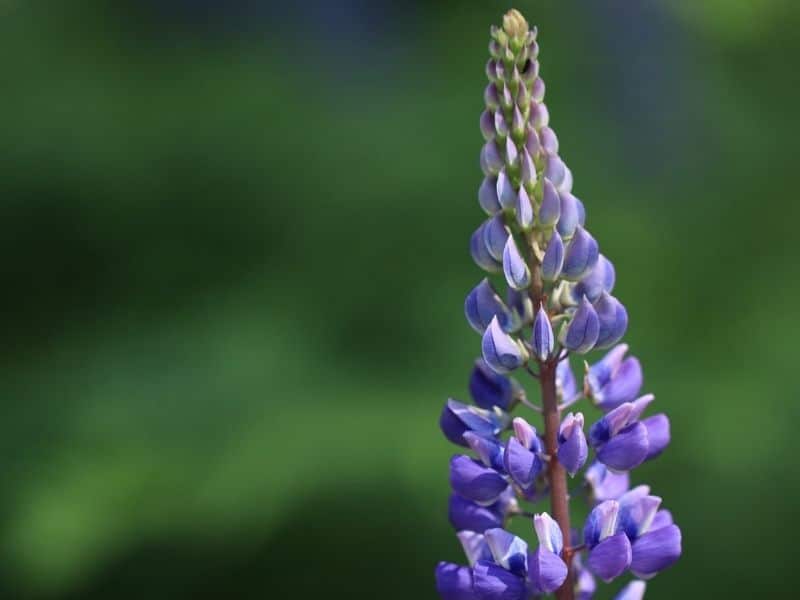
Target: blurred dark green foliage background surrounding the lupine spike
(234, 256)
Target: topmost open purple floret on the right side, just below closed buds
(614, 379)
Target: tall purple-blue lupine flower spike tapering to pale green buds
(557, 302)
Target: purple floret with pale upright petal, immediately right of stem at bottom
(609, 549)
